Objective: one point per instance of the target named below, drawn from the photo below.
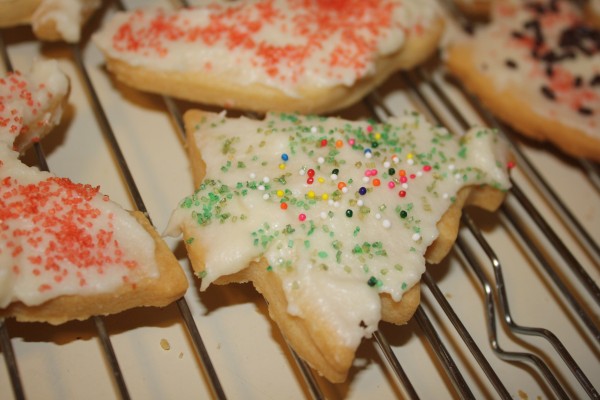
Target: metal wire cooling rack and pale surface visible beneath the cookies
(511, 313)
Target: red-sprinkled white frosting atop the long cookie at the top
(278, 43)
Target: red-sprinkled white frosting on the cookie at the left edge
(57, 237)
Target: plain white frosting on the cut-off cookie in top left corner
(68, 15)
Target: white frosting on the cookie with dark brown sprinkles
(495, 45)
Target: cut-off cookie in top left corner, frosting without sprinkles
(51, 20)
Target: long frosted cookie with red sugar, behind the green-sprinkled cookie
(307, 56)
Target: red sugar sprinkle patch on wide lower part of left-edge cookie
(61, 214)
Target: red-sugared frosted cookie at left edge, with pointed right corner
(66, 250)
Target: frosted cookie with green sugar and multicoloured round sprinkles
(331, 220)
